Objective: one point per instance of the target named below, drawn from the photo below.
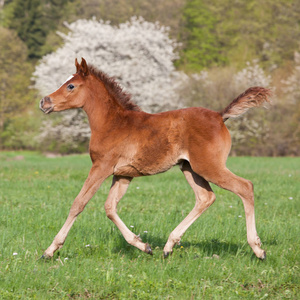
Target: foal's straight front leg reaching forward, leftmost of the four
(96, 176)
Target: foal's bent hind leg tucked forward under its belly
(204, 198)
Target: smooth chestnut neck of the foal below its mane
(100, 108)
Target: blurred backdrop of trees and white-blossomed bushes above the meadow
(167, 54)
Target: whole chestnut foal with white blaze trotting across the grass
(127, 142)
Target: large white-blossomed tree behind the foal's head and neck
(138, 54)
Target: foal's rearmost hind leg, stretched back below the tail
(244, 189)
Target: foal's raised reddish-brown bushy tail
(253, 97)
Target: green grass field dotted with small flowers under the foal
(213, 261)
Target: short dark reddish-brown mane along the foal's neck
(114, 89)
